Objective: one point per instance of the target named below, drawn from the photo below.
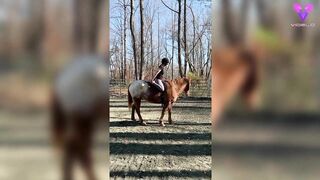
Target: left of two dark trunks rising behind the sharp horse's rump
(132, 30)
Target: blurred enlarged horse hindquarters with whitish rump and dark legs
(78, 101)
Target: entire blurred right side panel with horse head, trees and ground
(277, 136)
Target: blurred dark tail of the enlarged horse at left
(58, 122)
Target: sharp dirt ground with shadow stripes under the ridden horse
(178, 151)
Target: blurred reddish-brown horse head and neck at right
(235, 71)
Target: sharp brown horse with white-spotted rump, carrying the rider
(144, 90)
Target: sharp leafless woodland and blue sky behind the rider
(143, 32)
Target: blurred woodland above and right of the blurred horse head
(289, 57)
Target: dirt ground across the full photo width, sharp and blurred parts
(242, 150)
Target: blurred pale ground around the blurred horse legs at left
(26, 150)
